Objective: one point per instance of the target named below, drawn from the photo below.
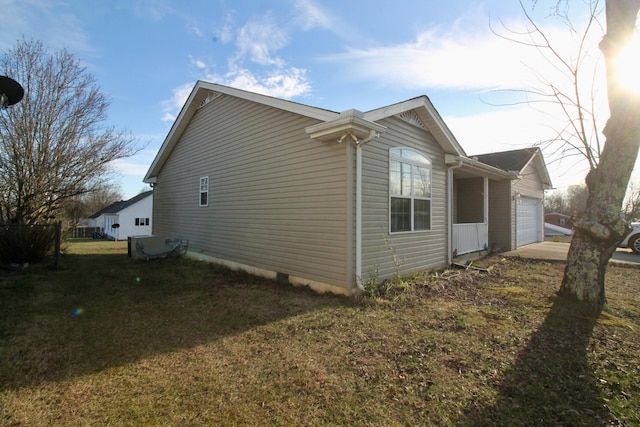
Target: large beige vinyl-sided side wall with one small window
(277, 199)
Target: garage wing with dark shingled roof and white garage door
(520, 201)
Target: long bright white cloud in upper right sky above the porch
(466, 57)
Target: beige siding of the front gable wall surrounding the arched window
(415, 251)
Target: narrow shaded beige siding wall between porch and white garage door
(500, 215)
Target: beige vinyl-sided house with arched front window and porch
(326, 199)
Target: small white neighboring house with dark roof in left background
(134, 217)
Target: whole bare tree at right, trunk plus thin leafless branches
(601, 227)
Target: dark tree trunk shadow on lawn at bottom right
(551, 382)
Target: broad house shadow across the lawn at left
(106, 311)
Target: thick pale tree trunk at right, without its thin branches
(601, 228)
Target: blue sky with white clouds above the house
(146, 56)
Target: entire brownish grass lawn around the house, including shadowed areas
(111, 341)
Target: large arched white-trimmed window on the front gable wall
(409, 191)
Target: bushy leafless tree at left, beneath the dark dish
(54, 145)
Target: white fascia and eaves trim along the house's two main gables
(352, 121)
